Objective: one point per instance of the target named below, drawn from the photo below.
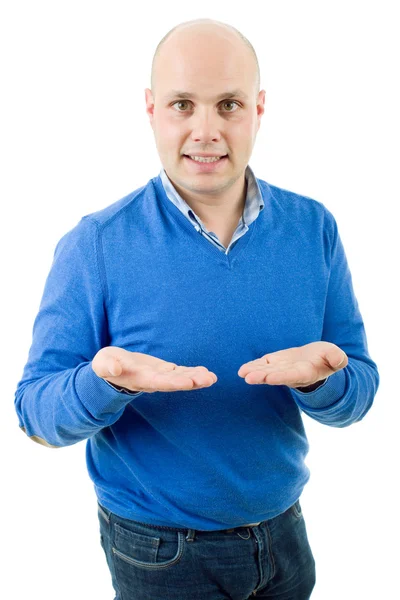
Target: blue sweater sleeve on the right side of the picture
(346, 396)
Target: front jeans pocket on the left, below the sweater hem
(146, 551)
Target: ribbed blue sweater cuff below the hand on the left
(96, 395)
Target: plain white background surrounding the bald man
(75, 138)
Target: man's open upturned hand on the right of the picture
(295, 367)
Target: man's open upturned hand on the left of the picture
(145, 373)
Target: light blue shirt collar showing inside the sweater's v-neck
(253, 206)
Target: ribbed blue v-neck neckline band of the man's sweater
(203, 242)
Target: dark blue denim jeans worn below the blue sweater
(269, 560)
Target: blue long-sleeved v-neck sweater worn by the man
(138, 275)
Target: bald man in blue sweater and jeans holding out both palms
(182, 331)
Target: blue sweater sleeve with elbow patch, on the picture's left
(59, 399)
